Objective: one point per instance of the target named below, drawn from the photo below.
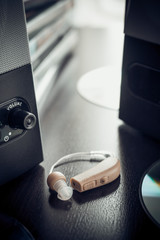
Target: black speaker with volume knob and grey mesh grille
(20, 140)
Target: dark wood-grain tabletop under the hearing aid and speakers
(71, 124)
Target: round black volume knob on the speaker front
(19, 118)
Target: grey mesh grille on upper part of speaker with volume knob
(14, 51)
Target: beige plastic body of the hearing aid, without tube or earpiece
(104, 172)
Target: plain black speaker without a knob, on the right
(140, 87)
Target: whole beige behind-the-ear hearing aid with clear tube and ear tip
(104, 172)
